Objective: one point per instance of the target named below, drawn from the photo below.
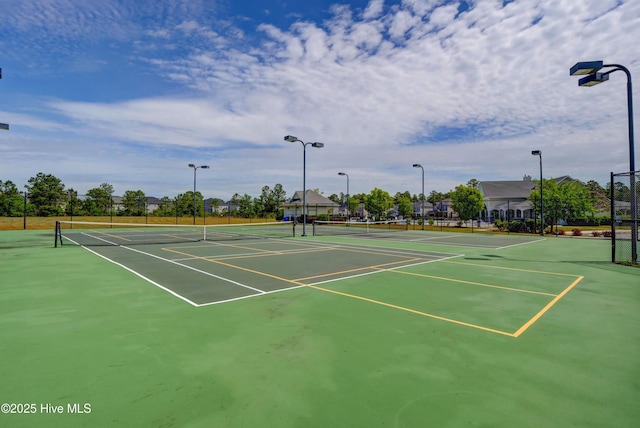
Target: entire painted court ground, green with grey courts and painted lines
(410, 329)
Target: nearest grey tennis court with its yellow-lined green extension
(206, 266)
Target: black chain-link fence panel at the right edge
(624, 213)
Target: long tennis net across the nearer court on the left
(88, 233)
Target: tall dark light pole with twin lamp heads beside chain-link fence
(593, 76)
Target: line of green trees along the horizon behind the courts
(48, 196)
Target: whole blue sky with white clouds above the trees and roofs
(129, 92)
